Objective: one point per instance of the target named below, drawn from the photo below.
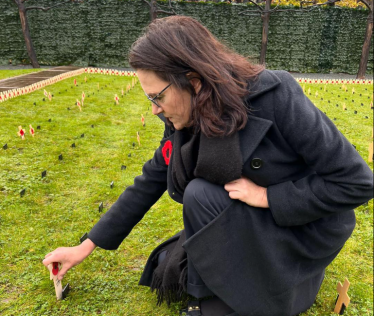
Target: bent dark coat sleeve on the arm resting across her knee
(341, 180)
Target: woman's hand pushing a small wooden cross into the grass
(69, 256)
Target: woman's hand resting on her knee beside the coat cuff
(248, 192)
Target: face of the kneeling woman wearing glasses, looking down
(175, 104)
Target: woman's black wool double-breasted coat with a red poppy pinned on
(258, 260)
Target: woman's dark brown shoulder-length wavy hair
(174, 46)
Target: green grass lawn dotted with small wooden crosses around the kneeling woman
(58, 209)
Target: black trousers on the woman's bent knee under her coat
(202, 202)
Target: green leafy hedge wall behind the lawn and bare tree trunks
(100, 32)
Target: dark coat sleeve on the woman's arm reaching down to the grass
(133, 203)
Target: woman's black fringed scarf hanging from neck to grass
(217, 160)
